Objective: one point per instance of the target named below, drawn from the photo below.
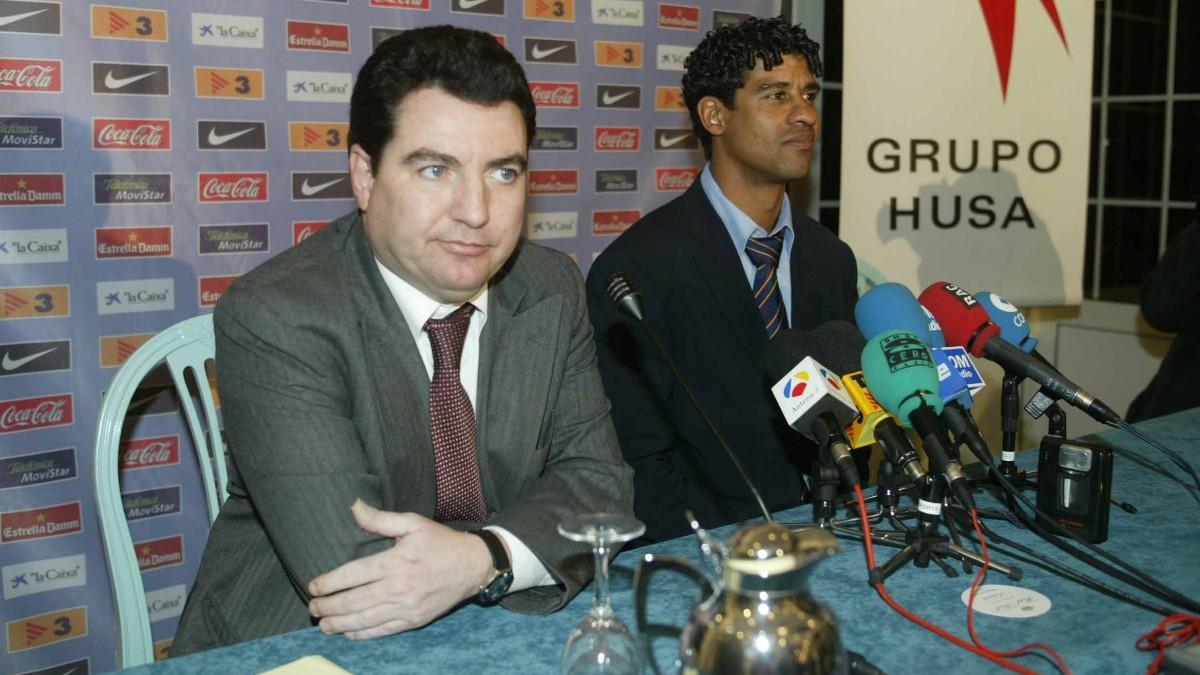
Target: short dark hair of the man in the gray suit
(469, 64)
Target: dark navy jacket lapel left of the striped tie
(722, 270)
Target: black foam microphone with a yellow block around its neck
(843, 347)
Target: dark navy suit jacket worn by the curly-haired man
(699, 303)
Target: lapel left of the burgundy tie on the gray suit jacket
(401, 384)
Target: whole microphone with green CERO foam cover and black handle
(901, 372)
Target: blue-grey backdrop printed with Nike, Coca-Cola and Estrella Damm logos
(152, 152)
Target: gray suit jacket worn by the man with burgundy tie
(326, 401)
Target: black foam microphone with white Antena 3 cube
(812, 397)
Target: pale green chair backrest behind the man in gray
(187, 347)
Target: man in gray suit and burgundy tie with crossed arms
(409, 375)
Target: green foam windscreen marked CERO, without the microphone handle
(902, 374)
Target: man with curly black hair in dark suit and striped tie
(724, 268)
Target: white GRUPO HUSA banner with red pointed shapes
(980, 172)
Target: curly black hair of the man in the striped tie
(718, 65)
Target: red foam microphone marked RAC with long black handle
(967, 325)
